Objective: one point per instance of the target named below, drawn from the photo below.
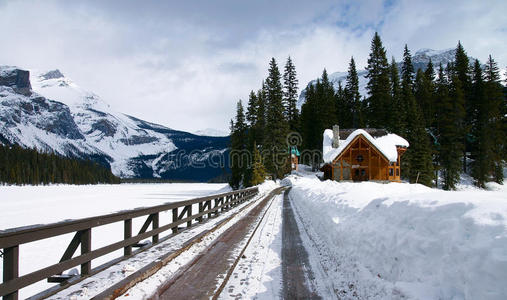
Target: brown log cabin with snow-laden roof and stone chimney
(362, 155)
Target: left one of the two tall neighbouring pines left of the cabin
(276, 125)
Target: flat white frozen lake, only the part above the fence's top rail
(27, 205)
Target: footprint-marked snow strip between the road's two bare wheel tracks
(258, 274)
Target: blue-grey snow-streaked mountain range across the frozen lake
(48, 111)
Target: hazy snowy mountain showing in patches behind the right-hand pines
(420, 60)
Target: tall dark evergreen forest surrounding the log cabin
(453, 116)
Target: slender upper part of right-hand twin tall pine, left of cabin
(290, 95)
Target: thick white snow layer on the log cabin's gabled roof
(385, 144)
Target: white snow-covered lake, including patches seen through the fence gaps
(28, 205)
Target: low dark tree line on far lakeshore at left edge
(28, 166)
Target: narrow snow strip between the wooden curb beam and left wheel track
(148, 287)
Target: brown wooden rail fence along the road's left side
(182, 213)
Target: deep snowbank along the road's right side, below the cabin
(399, 240)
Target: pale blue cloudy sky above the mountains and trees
(185, 64)
